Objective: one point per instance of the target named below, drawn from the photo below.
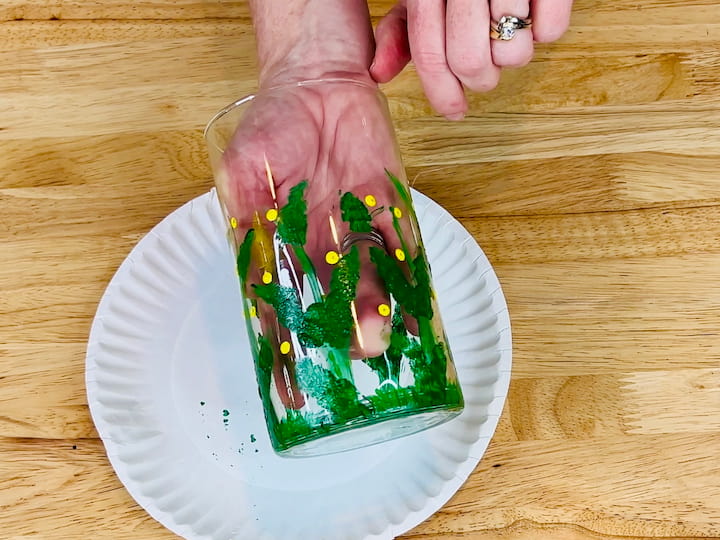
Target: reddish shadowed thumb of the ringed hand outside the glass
(392, 50)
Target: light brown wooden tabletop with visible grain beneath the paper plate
(591, 178)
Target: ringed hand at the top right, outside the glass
(449, 42)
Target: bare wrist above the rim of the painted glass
(312, 39)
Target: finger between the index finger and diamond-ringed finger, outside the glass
(468, 44)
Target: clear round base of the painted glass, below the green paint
(371, 431)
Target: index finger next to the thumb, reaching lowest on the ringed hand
(426, 35)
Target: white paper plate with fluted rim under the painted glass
(169, 335)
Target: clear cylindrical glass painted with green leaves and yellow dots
(347, 340)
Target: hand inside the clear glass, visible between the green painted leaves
(337, 137)
